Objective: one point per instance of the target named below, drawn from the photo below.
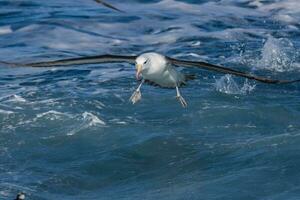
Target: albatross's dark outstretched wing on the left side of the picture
(78, 61)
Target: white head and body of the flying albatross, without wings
(157, 70)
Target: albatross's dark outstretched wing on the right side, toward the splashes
(225, 70)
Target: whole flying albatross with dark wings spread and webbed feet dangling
(154, 68)
